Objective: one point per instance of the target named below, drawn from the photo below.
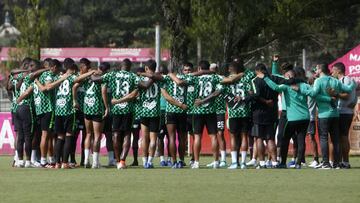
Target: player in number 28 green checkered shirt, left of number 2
(64, 112)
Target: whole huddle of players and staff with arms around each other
(53, 101)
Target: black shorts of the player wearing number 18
(202, 120)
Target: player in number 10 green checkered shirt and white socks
(150, 113)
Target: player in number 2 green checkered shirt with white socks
(95, 109)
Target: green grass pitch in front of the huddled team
(178, 185)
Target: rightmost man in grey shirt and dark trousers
(346, 106)
